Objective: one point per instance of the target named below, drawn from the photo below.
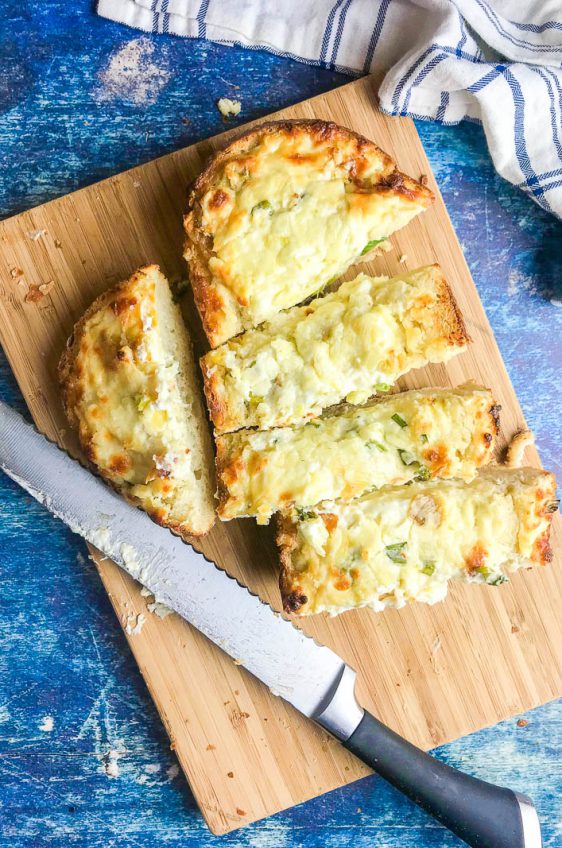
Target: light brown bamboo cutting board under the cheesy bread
(431, 673)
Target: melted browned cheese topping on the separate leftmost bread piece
(132, 418)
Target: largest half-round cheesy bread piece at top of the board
(284, 210)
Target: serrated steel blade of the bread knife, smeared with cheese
(288, 662)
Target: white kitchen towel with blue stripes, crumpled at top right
(498, 62)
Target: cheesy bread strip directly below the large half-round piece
(340, 346)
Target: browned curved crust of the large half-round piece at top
(199, 244)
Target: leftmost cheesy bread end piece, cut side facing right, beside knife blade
(129, 385)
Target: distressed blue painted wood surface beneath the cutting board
(84, 759)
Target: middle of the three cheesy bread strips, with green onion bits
(407, 436)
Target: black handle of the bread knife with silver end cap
(483, 815)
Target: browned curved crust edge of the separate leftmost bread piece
(70, 377)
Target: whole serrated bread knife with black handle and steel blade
(309, 676)
